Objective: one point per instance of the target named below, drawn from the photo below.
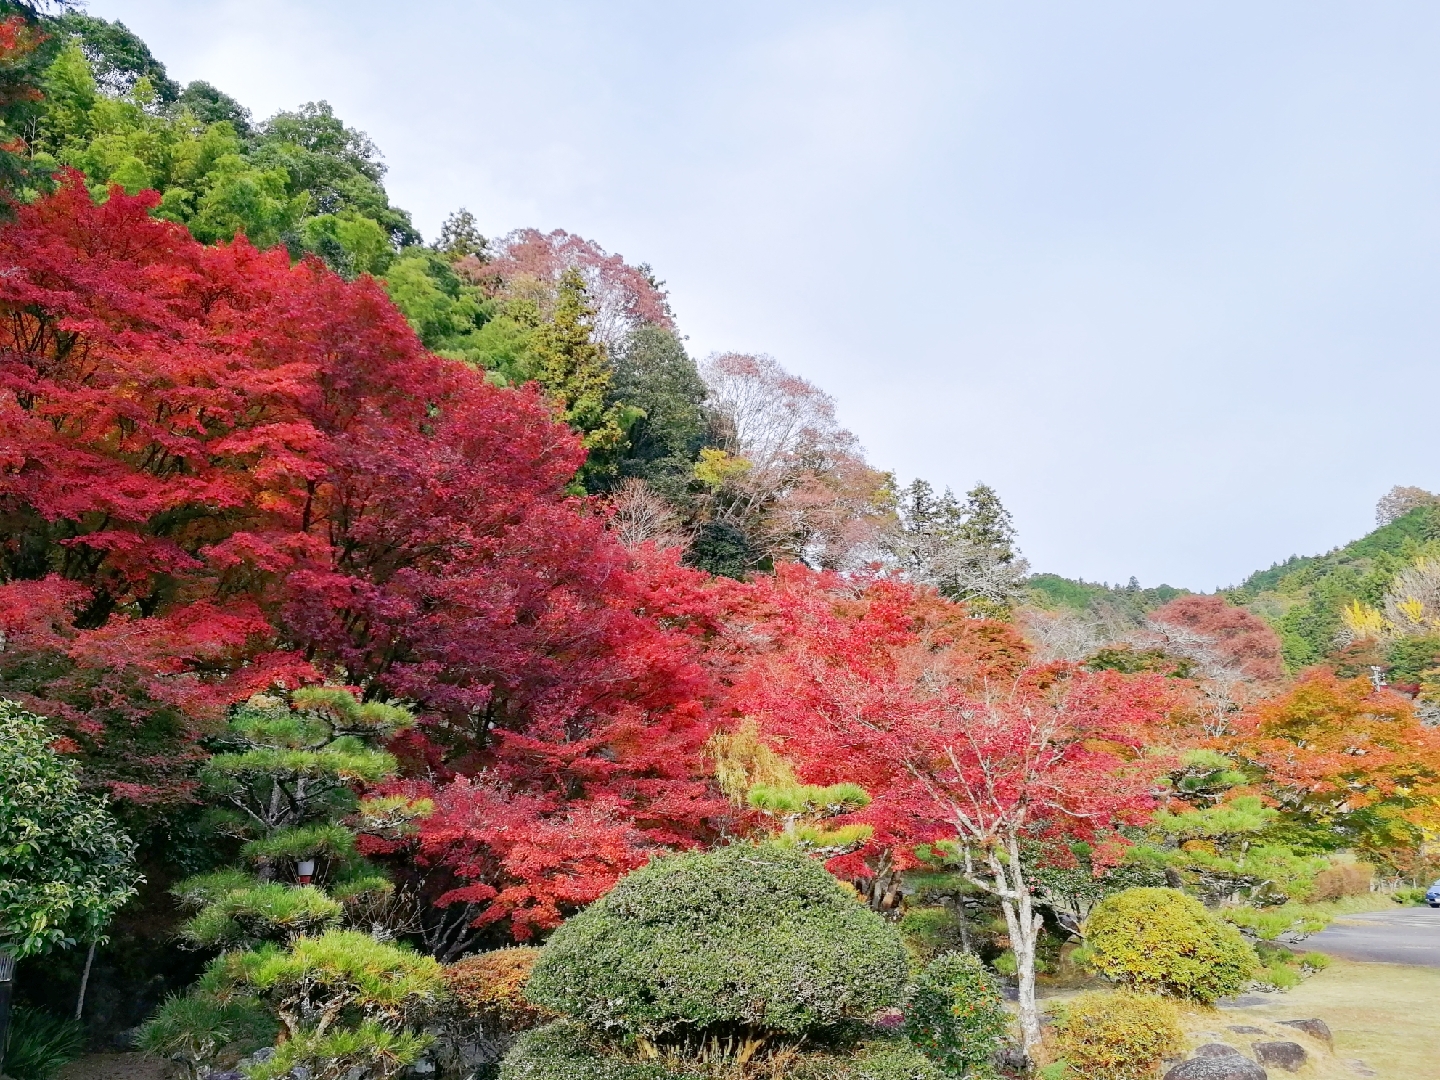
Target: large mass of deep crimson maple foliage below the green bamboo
(220, 470)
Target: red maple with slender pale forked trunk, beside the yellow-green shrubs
(954, 737)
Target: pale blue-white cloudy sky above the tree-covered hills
(1163, 274)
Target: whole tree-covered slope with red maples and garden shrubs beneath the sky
(443, 660)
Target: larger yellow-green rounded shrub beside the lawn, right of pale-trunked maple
(1163, 941)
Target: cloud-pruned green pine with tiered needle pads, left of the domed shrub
(342, 999)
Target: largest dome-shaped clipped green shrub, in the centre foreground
(745, 937)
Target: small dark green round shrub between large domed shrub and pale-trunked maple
(955, 1014)
